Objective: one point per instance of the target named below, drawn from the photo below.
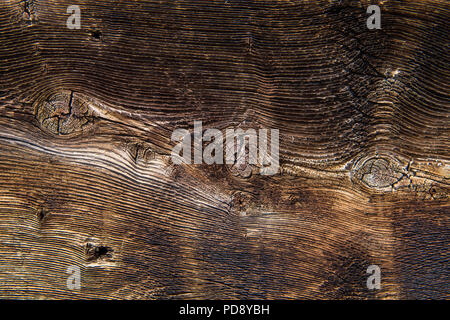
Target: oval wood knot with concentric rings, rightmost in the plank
(378, 173)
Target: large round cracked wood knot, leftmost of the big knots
(64, 113)
